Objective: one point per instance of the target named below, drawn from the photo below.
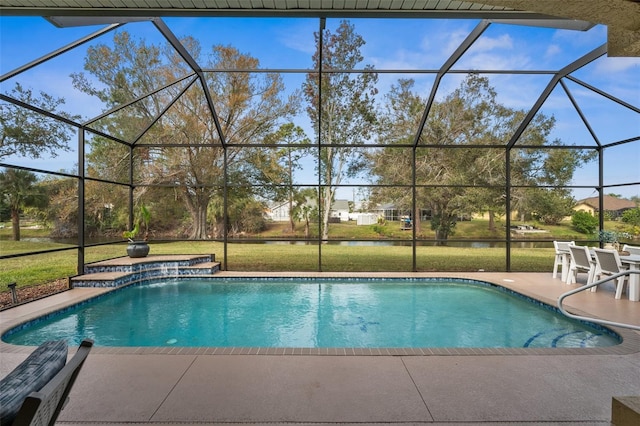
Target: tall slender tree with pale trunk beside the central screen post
(341, 107)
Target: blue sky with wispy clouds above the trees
(391, 44)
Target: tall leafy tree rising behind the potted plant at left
(127, 69)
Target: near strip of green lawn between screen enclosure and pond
(45, 267)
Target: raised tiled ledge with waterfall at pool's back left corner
(125, 270)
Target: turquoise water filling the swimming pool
(313, 313)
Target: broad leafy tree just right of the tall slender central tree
(448, 176)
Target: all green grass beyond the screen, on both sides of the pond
(45, 267)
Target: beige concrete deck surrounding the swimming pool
(198, 386)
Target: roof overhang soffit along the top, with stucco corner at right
(622, 17)
